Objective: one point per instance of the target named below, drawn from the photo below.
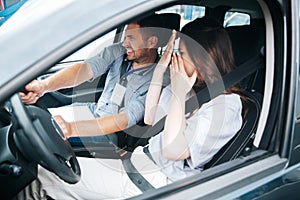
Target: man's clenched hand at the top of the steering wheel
(35, 89)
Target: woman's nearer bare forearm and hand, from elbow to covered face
(175, 146)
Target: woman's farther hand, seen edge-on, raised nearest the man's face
(166, 58)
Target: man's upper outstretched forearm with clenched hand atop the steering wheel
(68, 77)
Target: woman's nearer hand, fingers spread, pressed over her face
(180, 81)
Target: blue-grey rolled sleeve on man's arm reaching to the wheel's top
(100, 63)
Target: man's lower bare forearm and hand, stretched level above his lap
(96, 127)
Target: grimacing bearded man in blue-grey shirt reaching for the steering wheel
(122, 102)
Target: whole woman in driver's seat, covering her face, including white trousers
(187, 142)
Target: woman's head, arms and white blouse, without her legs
(192, 140)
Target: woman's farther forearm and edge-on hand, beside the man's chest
(156, 82)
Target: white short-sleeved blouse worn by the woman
(207, 131)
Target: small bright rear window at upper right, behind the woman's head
(236, 19)
